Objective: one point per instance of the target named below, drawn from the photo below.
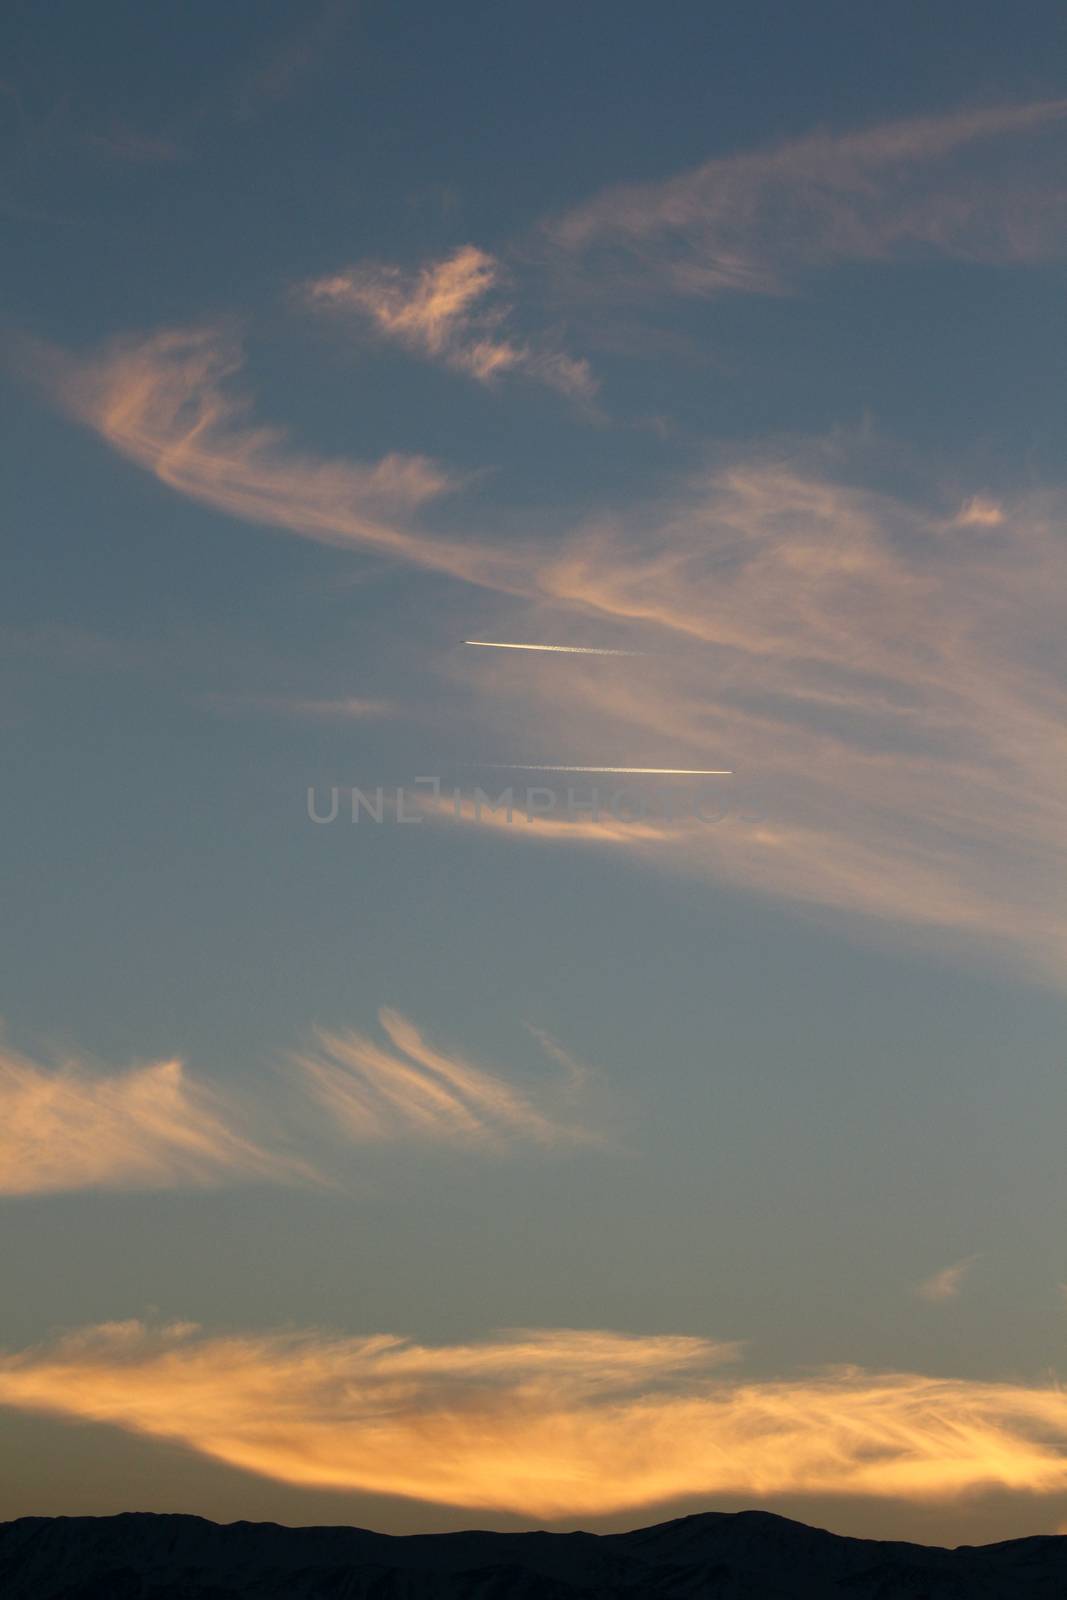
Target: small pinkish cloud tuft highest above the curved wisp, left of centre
(442, 314)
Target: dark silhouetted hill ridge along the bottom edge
(745, 1556)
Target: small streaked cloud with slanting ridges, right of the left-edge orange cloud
(412, 1092)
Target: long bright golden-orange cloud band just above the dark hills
(546, 1423)
